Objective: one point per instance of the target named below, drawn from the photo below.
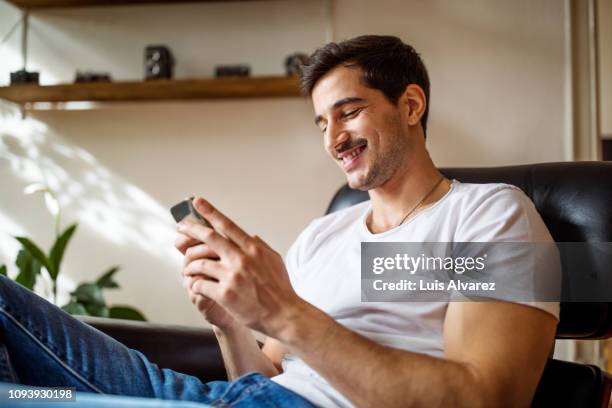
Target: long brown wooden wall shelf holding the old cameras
(181, 89)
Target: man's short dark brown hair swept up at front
(387, 64)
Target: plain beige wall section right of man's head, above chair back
(497, 73)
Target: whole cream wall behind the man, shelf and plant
(497, 70)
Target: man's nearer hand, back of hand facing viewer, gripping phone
(249, 279)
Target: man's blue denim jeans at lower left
(40, 345)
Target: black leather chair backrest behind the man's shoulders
(574, 200)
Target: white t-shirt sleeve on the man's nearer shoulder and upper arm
(523, 258)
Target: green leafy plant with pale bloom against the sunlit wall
(87, 299)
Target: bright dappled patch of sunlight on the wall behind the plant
(116, 219)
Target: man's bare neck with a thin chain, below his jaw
(392, 201)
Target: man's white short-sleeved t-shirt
(324, 268)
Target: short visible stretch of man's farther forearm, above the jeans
(241, 353)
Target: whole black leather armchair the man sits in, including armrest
(575, 201)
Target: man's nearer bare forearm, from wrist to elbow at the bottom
(379, 376)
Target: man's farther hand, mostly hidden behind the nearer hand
(212, 311)
